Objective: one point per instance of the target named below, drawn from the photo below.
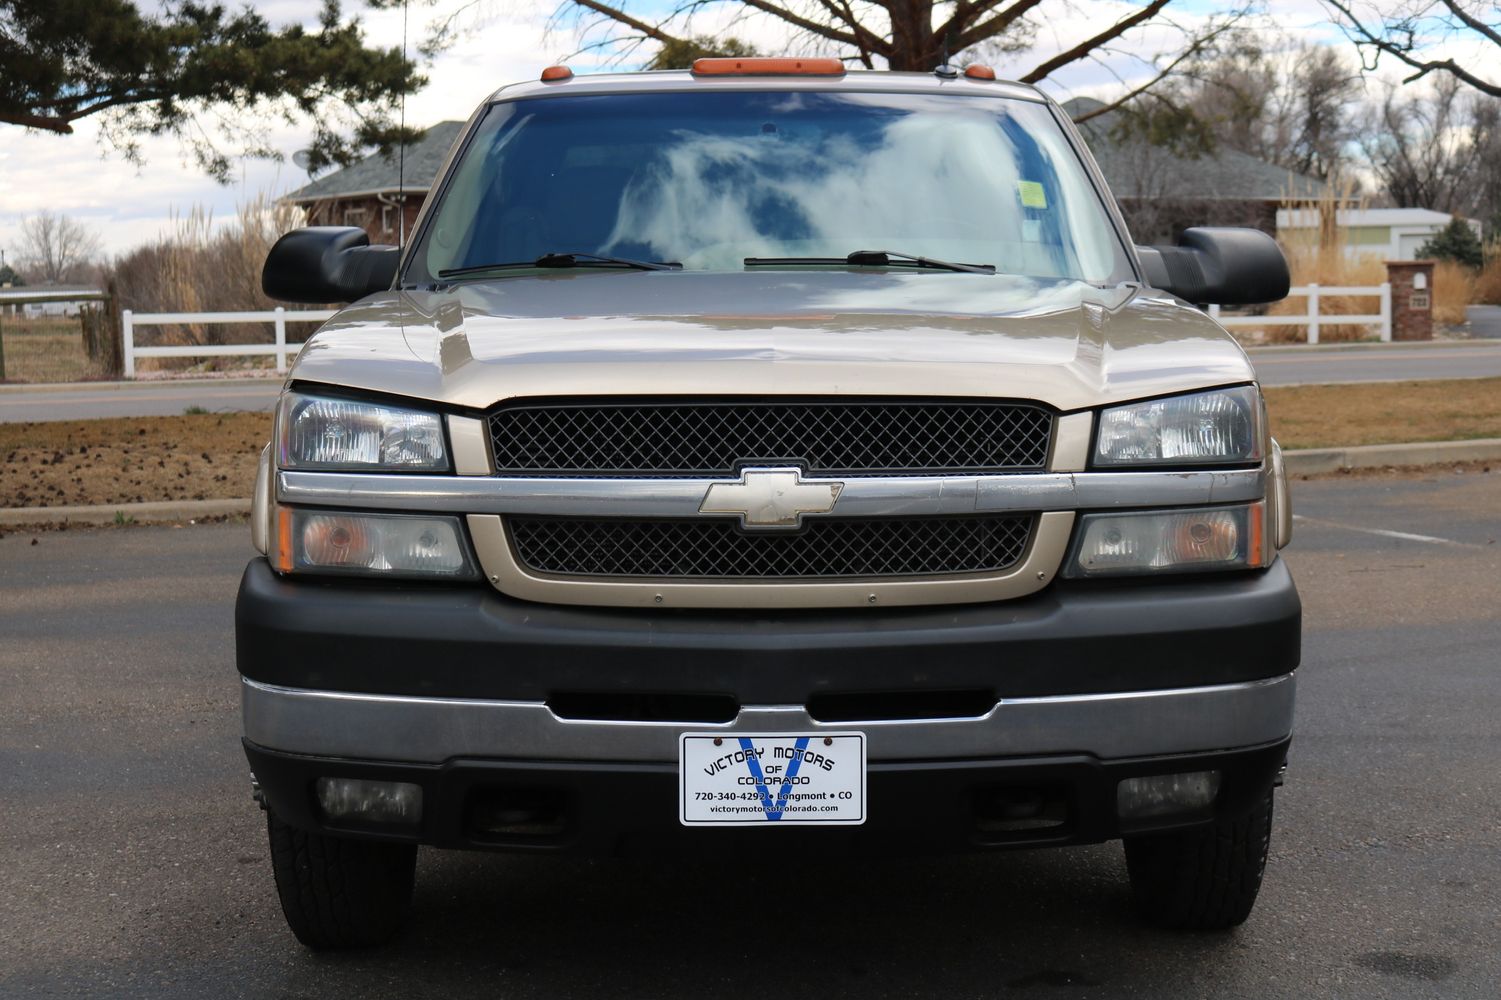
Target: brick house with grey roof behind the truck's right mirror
(1163, 193)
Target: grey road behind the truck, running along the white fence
(1275, 367)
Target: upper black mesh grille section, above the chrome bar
(717, 439)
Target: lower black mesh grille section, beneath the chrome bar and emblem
(720, 549)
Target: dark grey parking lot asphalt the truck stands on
(133, 861)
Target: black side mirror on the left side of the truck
(328, 264)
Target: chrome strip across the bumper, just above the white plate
(435, 730)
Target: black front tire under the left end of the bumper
(341, 893)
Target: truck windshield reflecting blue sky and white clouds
(712, 179)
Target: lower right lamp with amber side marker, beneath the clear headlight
(1170, 541)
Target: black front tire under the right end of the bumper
(1202, 881)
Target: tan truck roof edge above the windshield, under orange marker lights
(855, 80)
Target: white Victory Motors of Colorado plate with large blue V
(775, 779)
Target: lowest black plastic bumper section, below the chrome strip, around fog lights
(633, 809)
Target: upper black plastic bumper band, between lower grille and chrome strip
(1075, 637)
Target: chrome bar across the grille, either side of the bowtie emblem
(861, 498)
